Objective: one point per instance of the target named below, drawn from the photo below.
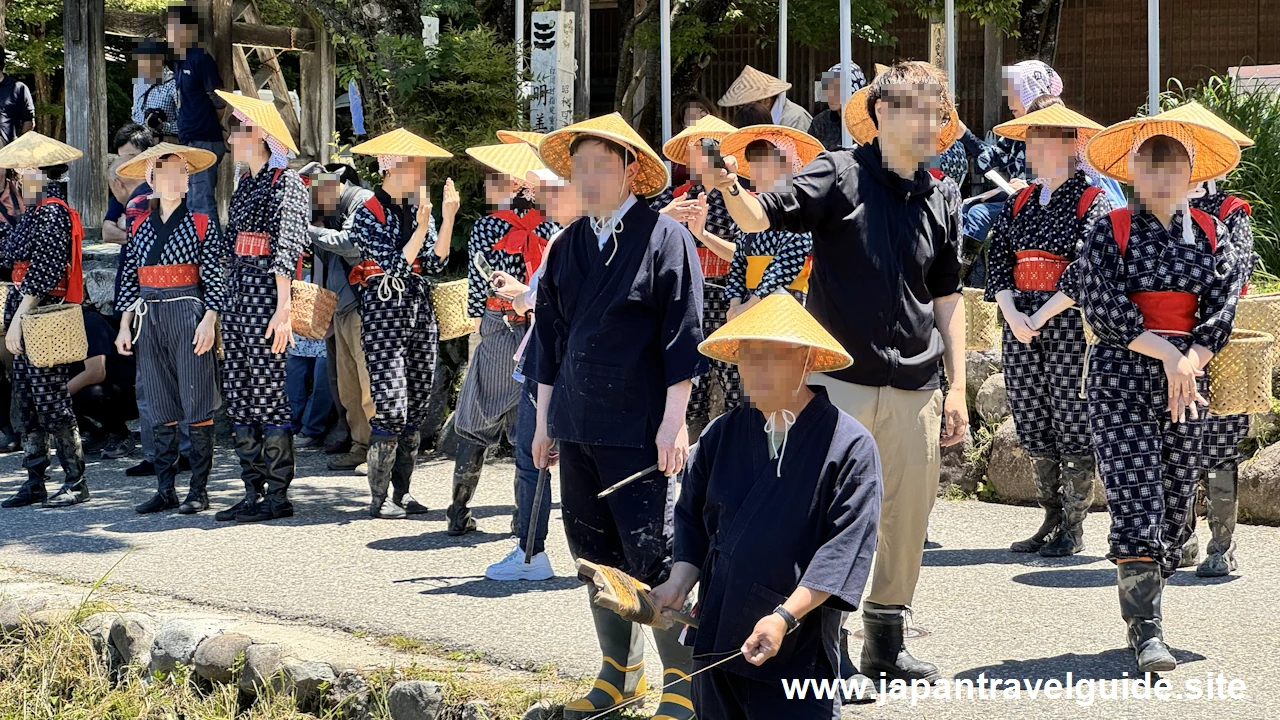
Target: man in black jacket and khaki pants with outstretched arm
(886, 284)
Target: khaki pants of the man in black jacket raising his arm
(907, 427)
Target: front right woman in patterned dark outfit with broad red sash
(1159, 288)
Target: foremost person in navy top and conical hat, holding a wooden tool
(776, 522)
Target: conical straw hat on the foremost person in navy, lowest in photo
(778, 318)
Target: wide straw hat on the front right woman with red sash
(1214, 153)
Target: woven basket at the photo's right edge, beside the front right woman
(1240, 376)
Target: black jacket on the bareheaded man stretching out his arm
(884, 248)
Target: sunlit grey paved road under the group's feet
(985, 610)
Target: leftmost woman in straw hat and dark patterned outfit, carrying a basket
(44, 250)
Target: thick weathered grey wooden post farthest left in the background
(86, 106)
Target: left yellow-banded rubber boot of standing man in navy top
(621, 671)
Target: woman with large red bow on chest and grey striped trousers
(511, 240)
